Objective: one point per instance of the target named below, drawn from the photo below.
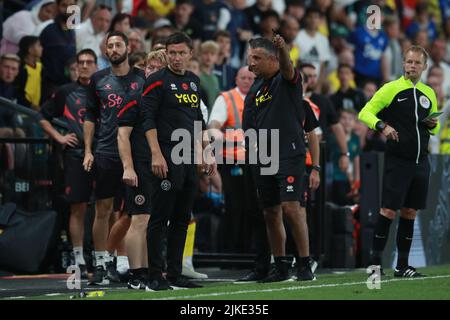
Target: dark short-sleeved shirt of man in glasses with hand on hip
(69, 102)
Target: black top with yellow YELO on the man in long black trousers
(171, 101)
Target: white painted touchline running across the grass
(214, 294)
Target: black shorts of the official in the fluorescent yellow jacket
(405, 184)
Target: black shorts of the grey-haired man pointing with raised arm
(289, 184)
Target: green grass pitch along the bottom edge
(340, 286)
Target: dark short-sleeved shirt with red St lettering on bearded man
(109, 96)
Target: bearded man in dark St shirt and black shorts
(111, 92)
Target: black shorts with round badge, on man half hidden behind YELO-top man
(138, 198)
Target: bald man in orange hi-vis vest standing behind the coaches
(240, 195)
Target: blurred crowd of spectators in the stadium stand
(344, 60)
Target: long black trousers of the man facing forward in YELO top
(171, 200)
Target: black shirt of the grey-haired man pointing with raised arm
(276, 103)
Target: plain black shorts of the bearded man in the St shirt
(108, 178)
